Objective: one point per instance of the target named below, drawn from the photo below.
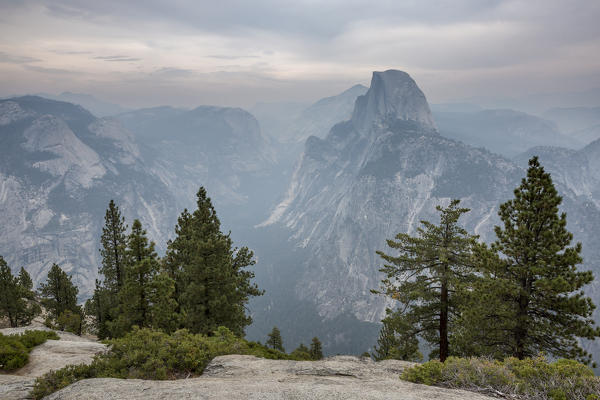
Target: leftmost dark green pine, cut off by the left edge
(16, 296)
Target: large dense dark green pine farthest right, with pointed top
(535, 280)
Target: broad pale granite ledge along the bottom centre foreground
(246, 377)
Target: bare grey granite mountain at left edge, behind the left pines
(59, 167)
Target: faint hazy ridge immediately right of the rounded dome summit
(505, 132)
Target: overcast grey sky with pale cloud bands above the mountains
(141, 53)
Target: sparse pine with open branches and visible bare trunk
(427, 274)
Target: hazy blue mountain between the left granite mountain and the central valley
(220, 148)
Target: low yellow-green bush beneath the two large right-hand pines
(532, 378)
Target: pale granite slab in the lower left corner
(51, 355)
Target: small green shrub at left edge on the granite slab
(14, 349)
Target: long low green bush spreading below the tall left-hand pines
(149, 354)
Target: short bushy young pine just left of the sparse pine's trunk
(397, 340)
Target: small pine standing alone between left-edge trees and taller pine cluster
(59, 296)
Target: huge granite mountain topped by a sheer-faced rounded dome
(375, 175)
